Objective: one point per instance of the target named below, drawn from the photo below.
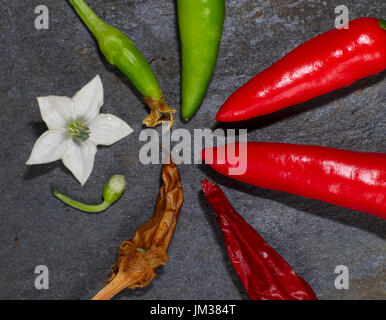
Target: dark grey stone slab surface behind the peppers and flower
(79, 248)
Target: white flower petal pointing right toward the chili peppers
(107, 129)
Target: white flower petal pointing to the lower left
(49, 147)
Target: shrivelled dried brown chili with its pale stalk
(139, 257)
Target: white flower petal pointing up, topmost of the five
(89, 100)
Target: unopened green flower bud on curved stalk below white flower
(111, 193)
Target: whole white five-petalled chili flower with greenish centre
(75, 129)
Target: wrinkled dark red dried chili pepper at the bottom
(264, 273)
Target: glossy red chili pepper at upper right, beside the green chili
(325, 63)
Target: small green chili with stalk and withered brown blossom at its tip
(120, 51)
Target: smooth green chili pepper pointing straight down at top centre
(200, 23)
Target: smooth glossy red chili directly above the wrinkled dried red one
(355, 180)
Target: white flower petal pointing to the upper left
(56, 111)
